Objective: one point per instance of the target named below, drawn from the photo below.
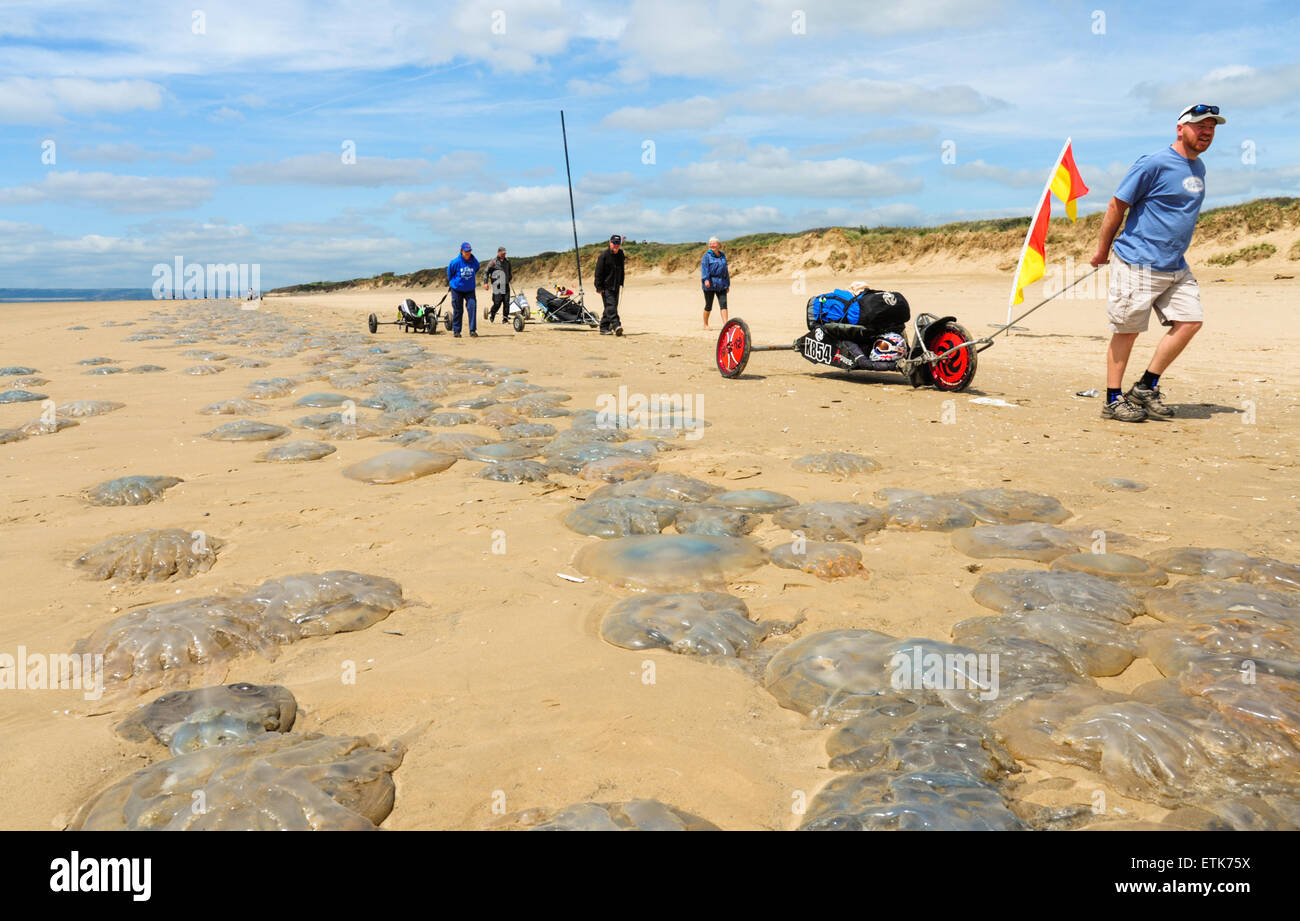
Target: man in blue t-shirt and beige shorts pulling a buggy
(1149, 271)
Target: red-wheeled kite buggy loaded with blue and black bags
(866, 330)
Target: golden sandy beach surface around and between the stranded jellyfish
(495, 674)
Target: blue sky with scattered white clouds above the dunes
(220, 132)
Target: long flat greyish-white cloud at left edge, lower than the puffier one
(122, 194)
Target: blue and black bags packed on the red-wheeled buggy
(864, 327)
